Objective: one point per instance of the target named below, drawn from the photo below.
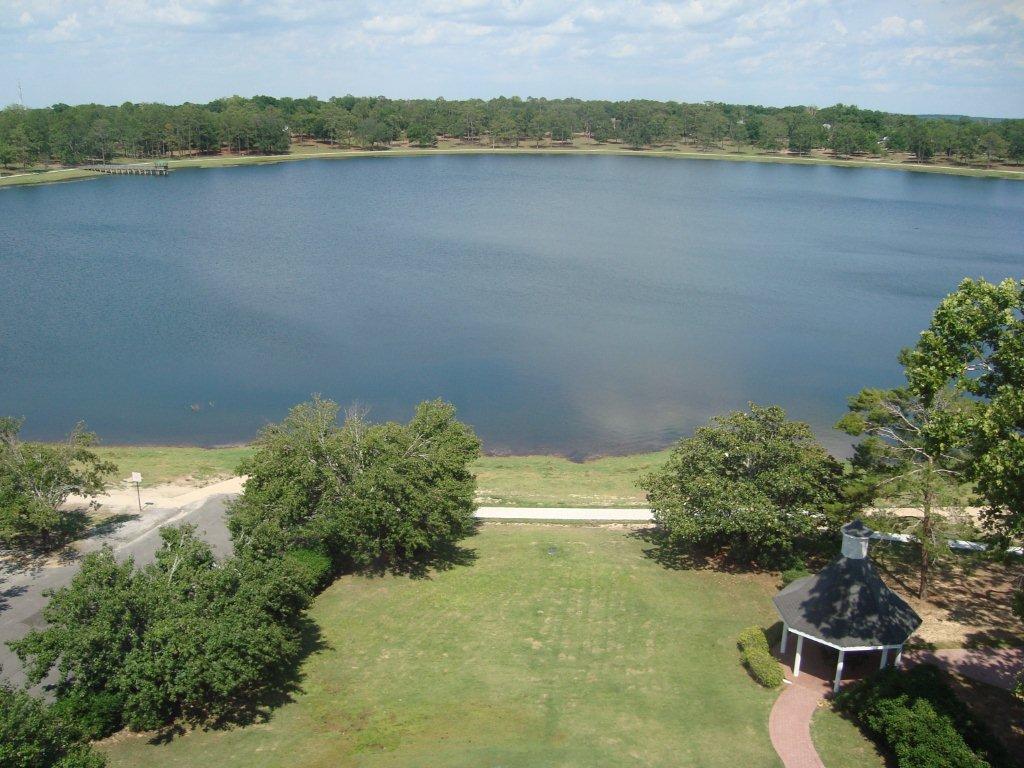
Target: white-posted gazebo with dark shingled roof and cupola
(847, 607)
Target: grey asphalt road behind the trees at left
(22, 591)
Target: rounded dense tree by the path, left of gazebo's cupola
(750, 483)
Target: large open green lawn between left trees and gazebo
(558, 647)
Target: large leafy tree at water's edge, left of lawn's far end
(366, 493)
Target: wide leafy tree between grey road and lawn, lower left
(186, 638)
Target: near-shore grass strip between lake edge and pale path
(507, 482)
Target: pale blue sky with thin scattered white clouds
(964, 57)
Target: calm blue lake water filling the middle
(566, 305)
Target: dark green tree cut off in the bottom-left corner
(32, 737)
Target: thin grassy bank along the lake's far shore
(580, 147)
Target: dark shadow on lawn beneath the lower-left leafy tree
(282, 690)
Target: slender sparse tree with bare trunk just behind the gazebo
(905, 455)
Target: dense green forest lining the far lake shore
(267, 125)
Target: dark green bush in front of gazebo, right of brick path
(921, 719)
